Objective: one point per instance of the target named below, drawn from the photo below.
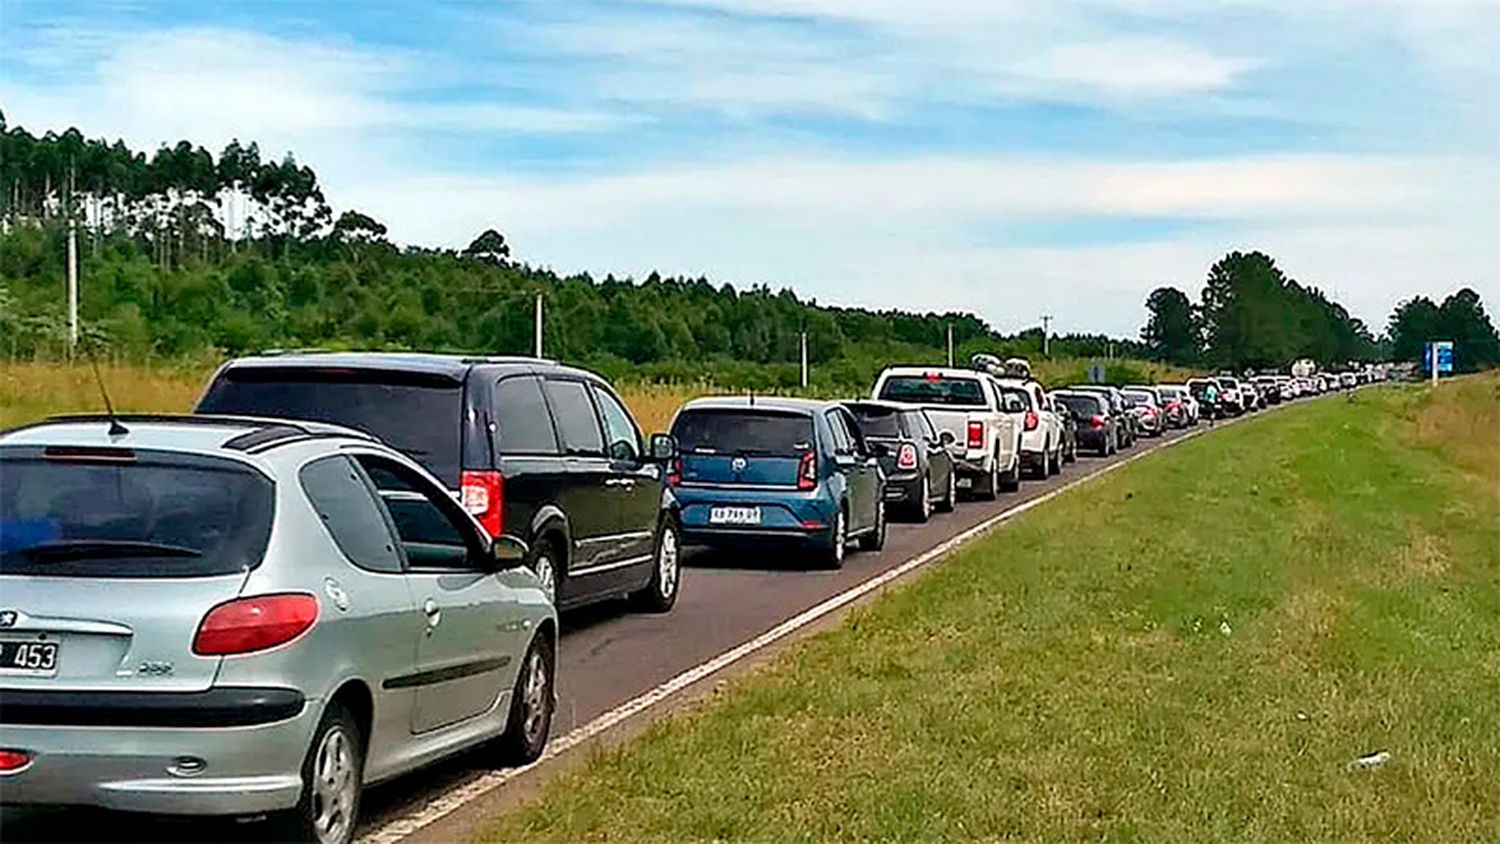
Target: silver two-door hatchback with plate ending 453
(226, 617)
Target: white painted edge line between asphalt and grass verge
(452, 801)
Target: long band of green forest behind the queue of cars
(188, 254)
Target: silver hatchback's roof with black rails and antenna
(190, 434)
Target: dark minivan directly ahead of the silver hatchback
(535, 450)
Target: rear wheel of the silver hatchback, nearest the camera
(332, 783)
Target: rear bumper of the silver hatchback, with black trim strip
(113, 764)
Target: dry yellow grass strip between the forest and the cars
(35, 391)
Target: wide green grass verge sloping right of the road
(1193, 648)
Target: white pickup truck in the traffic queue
(970, 406)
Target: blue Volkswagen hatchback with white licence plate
(778, 471)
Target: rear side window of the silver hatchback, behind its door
(349, 510)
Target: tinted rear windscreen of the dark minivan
(418, 415)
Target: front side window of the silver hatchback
(430, 524)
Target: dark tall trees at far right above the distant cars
(1252, 316)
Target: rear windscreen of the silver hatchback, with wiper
(131, 515)
